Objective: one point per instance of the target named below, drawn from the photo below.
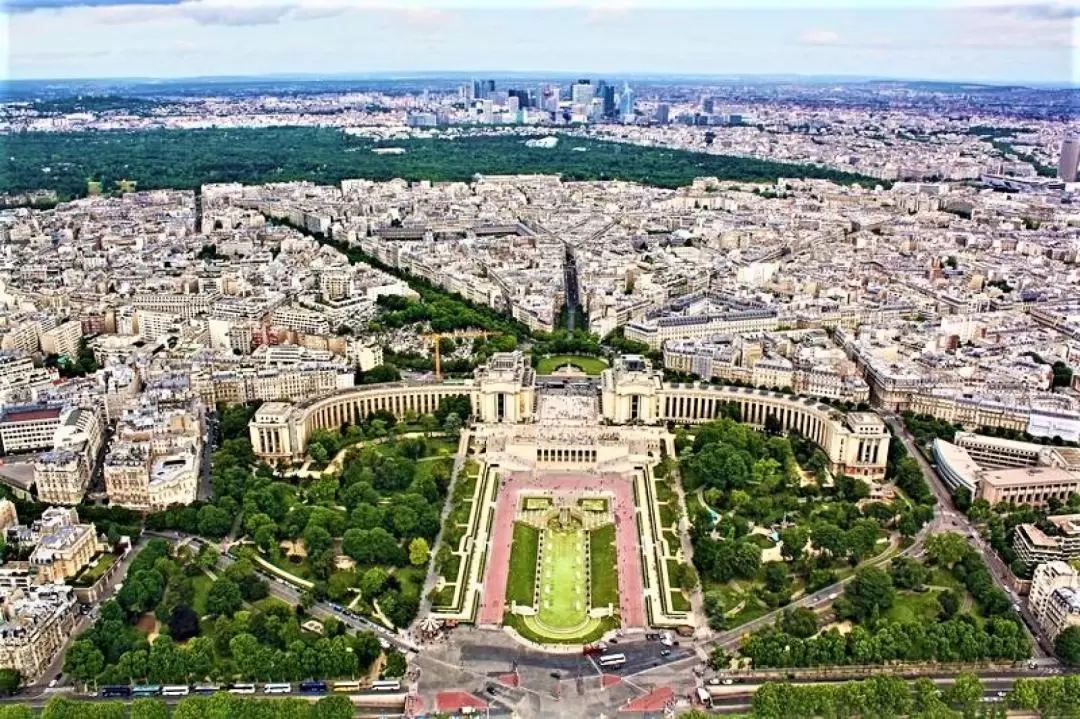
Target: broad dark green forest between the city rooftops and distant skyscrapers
(190, 158)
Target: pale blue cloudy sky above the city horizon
(1011, 42)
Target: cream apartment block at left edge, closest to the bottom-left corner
(35, 625)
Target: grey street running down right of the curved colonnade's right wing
(949, 521)
